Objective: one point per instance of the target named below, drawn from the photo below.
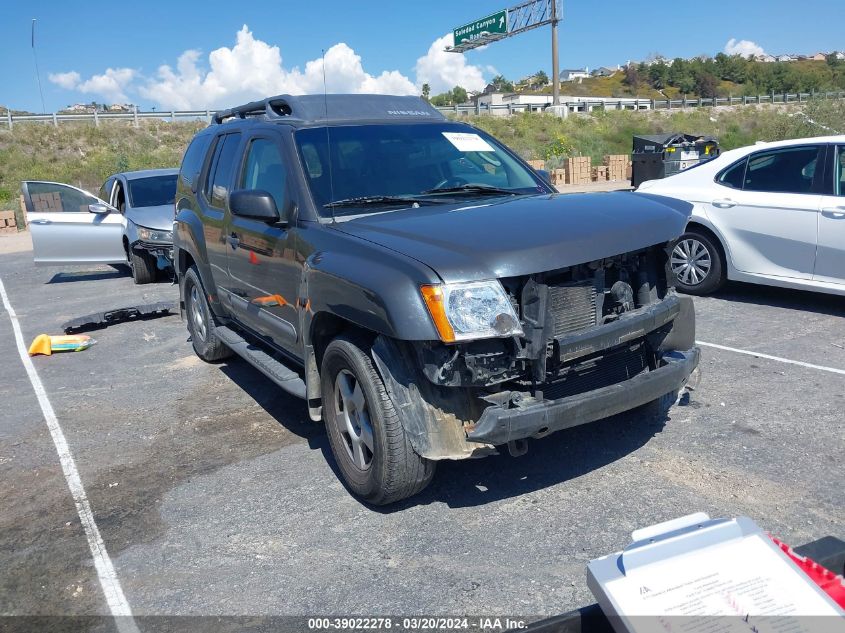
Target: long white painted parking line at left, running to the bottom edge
(118, 606)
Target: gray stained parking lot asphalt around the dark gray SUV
(215, 495)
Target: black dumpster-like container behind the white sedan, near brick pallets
(661, 155)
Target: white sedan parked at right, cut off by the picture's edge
(772, 213)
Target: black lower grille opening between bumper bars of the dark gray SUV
(609, 368)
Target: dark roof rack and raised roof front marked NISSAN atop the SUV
(308, 109)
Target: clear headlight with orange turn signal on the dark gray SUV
(477, 309)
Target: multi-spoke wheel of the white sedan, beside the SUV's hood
(689, 254)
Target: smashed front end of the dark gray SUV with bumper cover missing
(599, 338)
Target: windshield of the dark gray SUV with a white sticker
(384, 162)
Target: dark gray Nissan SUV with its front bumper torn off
(427, 292)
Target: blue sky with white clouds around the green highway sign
(192, 54)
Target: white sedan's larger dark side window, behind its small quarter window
(788, 170)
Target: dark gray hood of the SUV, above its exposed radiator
(485, 239)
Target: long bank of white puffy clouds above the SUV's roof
(252, 69)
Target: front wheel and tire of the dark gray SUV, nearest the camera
(372, 451)
